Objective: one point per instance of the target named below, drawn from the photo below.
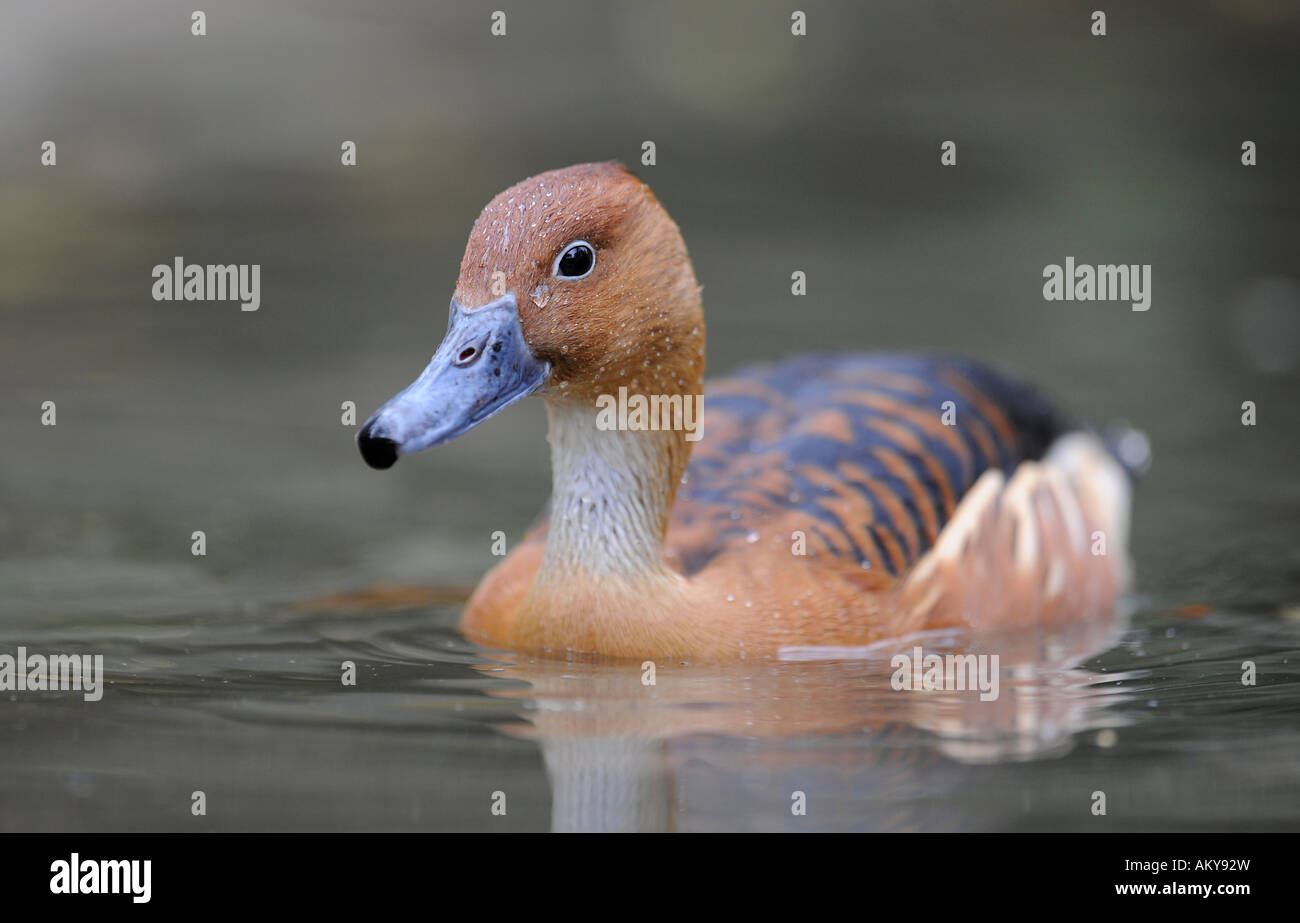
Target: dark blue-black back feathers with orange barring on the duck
(870, 454)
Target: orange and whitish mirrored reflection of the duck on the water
(618, 736)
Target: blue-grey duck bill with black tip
(483, 366)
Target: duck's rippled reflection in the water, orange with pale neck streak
(612, 739)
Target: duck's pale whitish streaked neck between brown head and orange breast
(613, 493)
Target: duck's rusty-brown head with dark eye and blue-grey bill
(574, 284)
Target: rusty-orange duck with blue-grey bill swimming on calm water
(820, 502)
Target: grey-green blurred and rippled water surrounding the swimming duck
(224, 670)
